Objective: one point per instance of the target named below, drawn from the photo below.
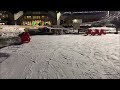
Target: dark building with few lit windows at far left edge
(6, 18)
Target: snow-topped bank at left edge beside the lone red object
(9, 35)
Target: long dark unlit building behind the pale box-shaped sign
(85, 16)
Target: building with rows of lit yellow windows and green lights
(36, 18)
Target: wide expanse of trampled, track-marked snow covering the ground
(63, 57)
